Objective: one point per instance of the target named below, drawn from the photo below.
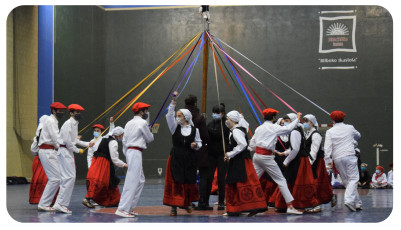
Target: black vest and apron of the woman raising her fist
(183, 158)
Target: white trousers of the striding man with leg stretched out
(267, 163)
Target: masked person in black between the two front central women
(216, 152)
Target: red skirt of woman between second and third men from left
(97, 183)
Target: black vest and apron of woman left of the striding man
(236, 171)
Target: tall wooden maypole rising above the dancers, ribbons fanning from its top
(205, 16)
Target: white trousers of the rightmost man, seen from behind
(348, 168)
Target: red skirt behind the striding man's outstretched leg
(303, 190)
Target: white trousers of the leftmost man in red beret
(49, 160)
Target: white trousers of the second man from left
(68, 172)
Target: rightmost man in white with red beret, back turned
(339, 147)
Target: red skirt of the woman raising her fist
(177, 194)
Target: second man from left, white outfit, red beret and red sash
(67, 141)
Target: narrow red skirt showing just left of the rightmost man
(324, 190)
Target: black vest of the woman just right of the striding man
(291, 172)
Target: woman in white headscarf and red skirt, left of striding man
(243, 190)
